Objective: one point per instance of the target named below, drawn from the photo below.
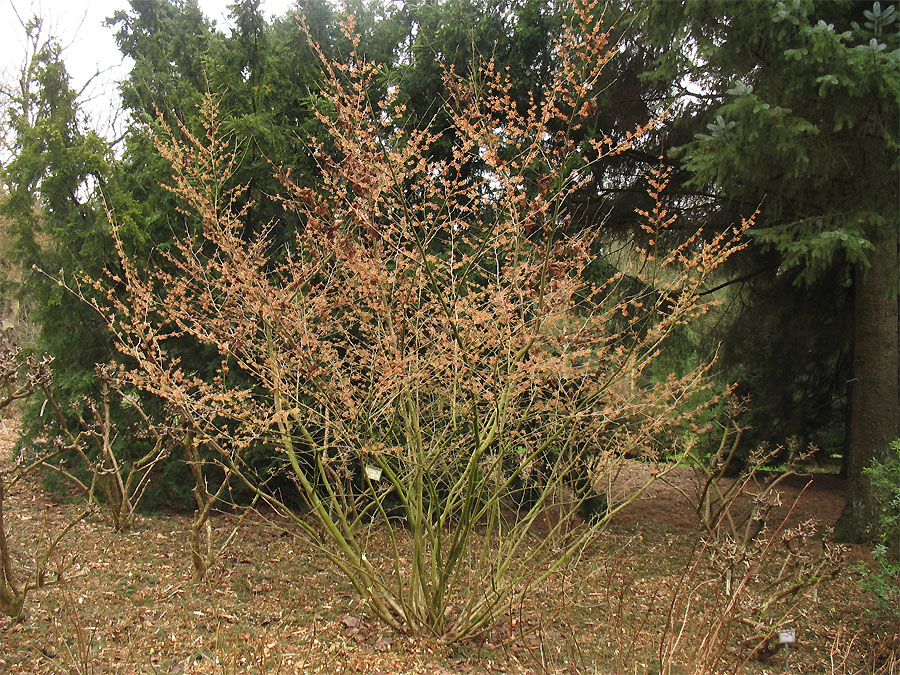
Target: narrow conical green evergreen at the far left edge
(56, 219)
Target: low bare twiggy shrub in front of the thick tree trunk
(753, 570)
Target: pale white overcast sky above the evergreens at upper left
(88, 45)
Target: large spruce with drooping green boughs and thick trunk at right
(794, 105)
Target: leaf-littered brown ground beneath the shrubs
(272, 606)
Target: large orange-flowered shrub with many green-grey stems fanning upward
(427, 349)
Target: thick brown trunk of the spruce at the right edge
(875, 401)
